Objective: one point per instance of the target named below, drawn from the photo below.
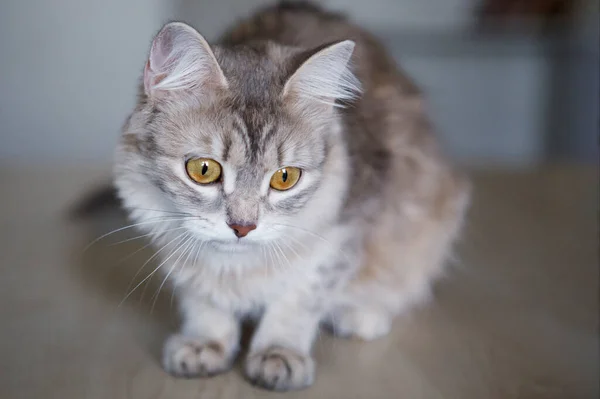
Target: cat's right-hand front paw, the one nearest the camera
(280, 369)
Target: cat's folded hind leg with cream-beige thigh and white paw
(397, 274)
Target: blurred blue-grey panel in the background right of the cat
(487, 98)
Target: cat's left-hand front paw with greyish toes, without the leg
(190, 357)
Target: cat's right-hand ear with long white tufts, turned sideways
(325, 76)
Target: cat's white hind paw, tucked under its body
(361, 323)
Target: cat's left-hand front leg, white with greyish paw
(206, 344)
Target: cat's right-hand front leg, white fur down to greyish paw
(280, 352)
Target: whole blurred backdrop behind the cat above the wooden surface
(509, 83)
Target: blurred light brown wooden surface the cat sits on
(517, 316)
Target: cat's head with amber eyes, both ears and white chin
(236, 146)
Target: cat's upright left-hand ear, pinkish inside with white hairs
(181, 59)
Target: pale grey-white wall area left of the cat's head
(67, 74)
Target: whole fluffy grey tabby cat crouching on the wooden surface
(360, 237)
